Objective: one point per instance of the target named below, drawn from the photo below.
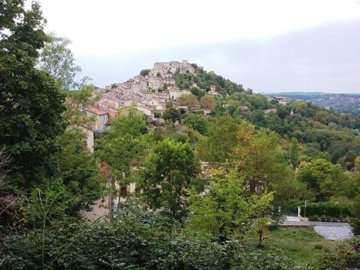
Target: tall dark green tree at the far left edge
(31, 105)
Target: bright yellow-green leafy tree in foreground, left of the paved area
(225, 210)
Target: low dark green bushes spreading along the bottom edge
(131, 242)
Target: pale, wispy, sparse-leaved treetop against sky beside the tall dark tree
(58, 61)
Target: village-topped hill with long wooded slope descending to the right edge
(177, 90)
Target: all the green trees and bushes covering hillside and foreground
(211, 188)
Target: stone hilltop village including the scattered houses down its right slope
(150, 92)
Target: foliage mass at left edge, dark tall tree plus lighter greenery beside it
(46, 158)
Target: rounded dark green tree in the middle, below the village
(166, 177)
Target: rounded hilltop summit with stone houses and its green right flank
(165, 83)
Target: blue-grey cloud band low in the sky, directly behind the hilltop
(325, 58)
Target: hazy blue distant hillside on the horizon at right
(339, 102)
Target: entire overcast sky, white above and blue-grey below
(268, 46)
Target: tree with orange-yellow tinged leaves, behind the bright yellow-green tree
(259, 161)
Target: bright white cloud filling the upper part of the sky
(111, 26)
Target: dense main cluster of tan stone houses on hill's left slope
(148, 92)
